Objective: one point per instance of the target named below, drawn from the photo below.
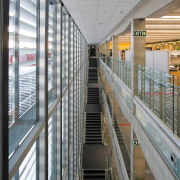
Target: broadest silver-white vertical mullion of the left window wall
(43, 88)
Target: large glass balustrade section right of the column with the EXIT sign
(160, 92)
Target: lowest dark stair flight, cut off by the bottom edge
(94, 174)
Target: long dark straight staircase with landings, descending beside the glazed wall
(92, 170)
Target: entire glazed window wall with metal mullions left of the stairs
(43, 62)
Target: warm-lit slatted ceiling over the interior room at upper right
(166, 28)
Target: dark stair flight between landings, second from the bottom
(93, 128)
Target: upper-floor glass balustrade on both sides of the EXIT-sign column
(158, 90)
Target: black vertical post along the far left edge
(4, 53)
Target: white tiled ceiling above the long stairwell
(96, 18)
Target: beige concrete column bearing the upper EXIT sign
(138, 57)
